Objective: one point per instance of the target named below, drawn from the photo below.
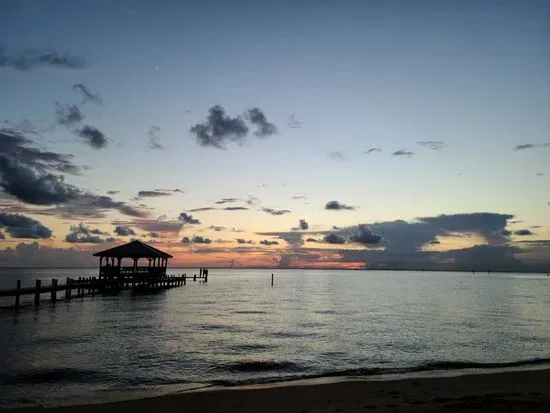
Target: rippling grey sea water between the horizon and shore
(237, 329)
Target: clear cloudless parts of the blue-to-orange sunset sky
(470, 77)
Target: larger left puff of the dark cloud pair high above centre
(219, 128)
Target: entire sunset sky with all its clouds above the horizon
(375, 134)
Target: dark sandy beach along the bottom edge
(517, 391)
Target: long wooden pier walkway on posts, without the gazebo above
(92, 285)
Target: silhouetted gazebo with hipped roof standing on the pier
(111, 267)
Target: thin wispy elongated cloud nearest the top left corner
(30, 59)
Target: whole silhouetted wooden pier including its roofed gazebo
(113, 277)
